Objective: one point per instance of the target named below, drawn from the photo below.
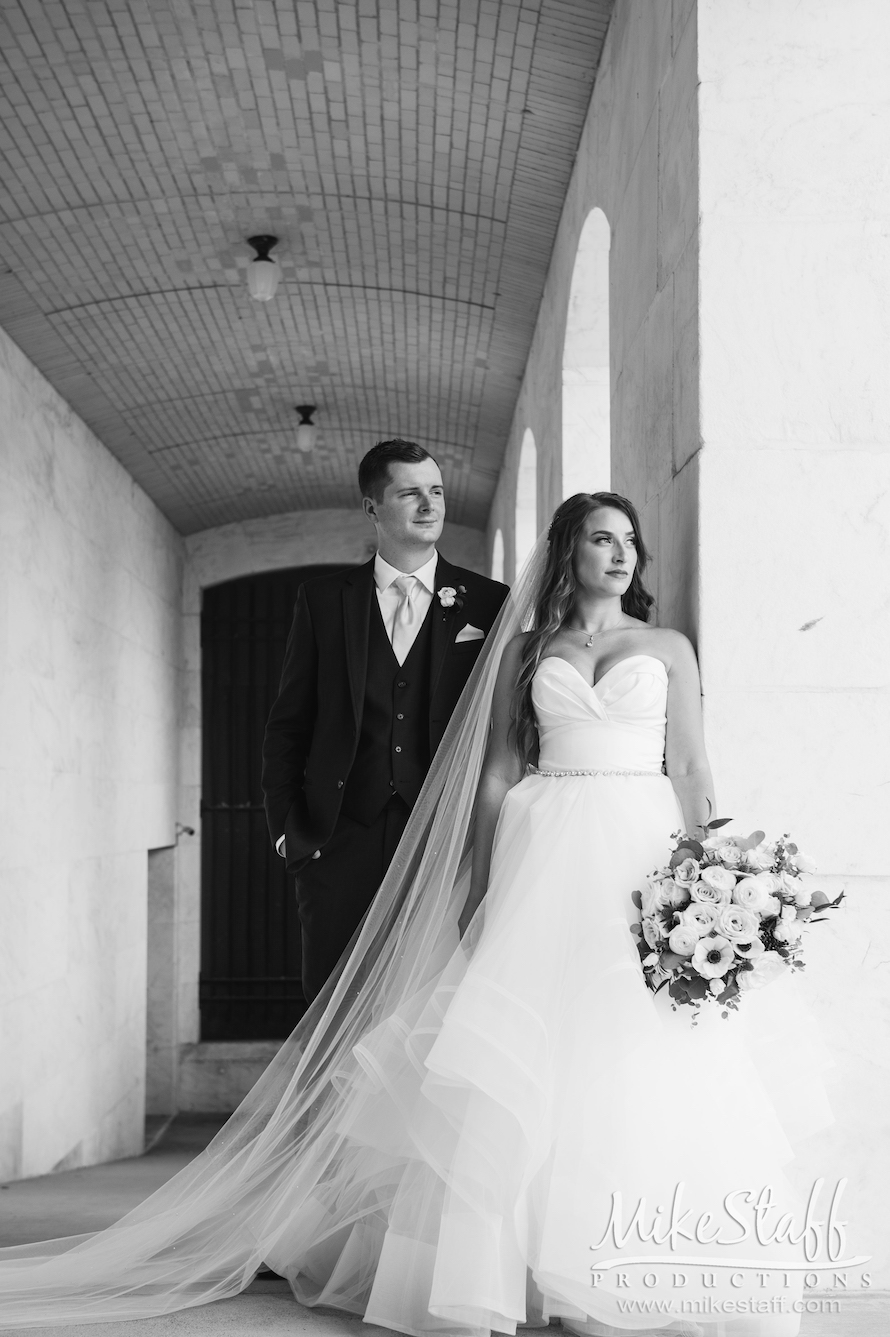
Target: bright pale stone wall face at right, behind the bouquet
(794, 498)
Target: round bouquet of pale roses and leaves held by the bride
(725, 917)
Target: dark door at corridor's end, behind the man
(249, 926)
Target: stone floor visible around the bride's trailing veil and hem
(89, 1200)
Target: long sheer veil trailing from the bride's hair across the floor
(205, 1235)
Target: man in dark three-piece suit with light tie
(376, 660)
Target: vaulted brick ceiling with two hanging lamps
(414, 158)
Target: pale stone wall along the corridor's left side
(90, 597)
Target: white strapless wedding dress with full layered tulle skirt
(496, 1114)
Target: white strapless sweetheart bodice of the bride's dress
(618, 724)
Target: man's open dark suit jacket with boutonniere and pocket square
(313, 729)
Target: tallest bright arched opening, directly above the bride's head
(586, 366)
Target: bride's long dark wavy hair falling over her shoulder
(557, 598)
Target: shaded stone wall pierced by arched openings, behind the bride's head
(638, 164)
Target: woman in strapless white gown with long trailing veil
(487, 1120)
